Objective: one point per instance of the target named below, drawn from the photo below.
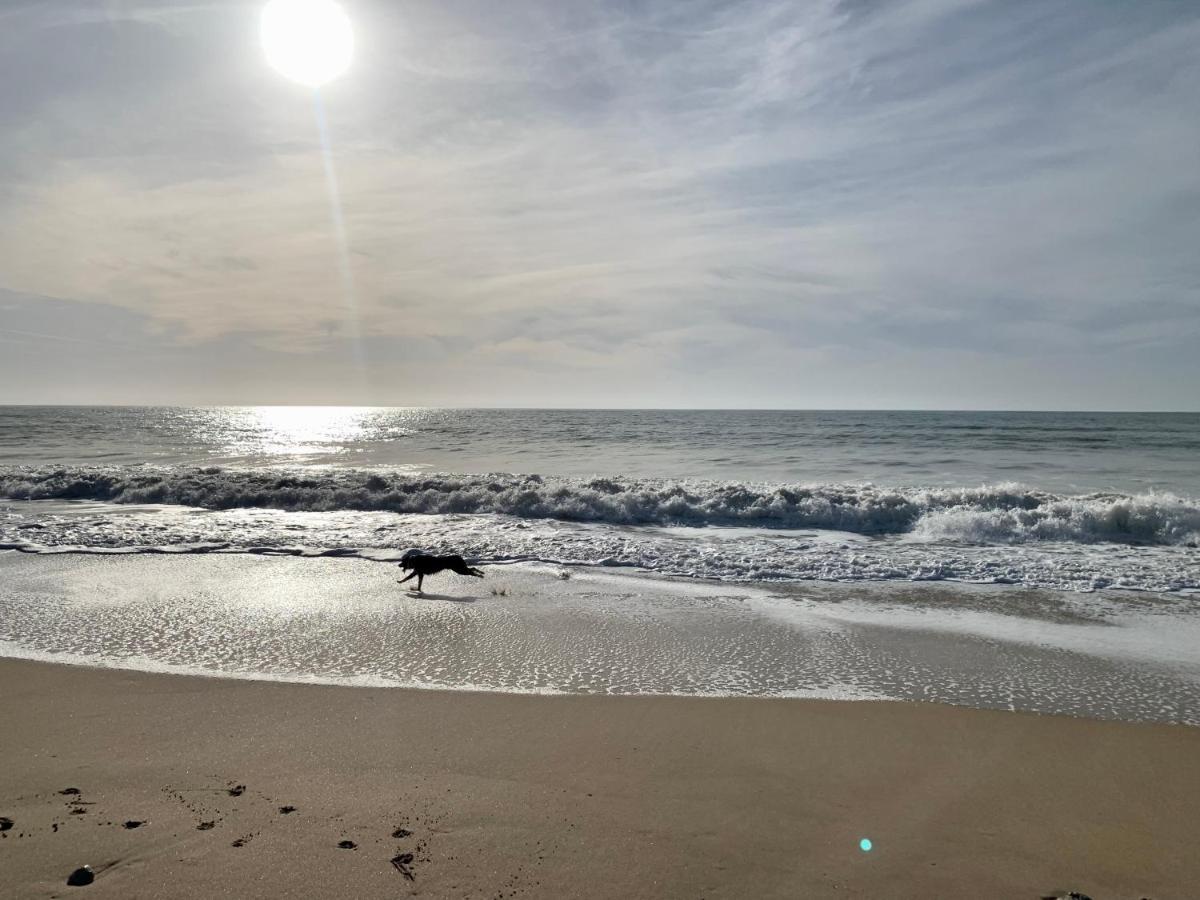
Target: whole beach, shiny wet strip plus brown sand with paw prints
(261, 727)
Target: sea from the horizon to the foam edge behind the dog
(1064, 501)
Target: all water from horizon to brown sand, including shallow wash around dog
(1015, 561)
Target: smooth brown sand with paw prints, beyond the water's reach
(559, 797)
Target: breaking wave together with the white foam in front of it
(727, 531)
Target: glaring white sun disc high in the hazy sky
(309, 41)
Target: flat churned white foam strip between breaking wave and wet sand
(740, 554)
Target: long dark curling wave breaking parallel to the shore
(989, 514)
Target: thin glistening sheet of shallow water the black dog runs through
(346, 622)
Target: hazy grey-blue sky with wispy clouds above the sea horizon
(903, 205)
